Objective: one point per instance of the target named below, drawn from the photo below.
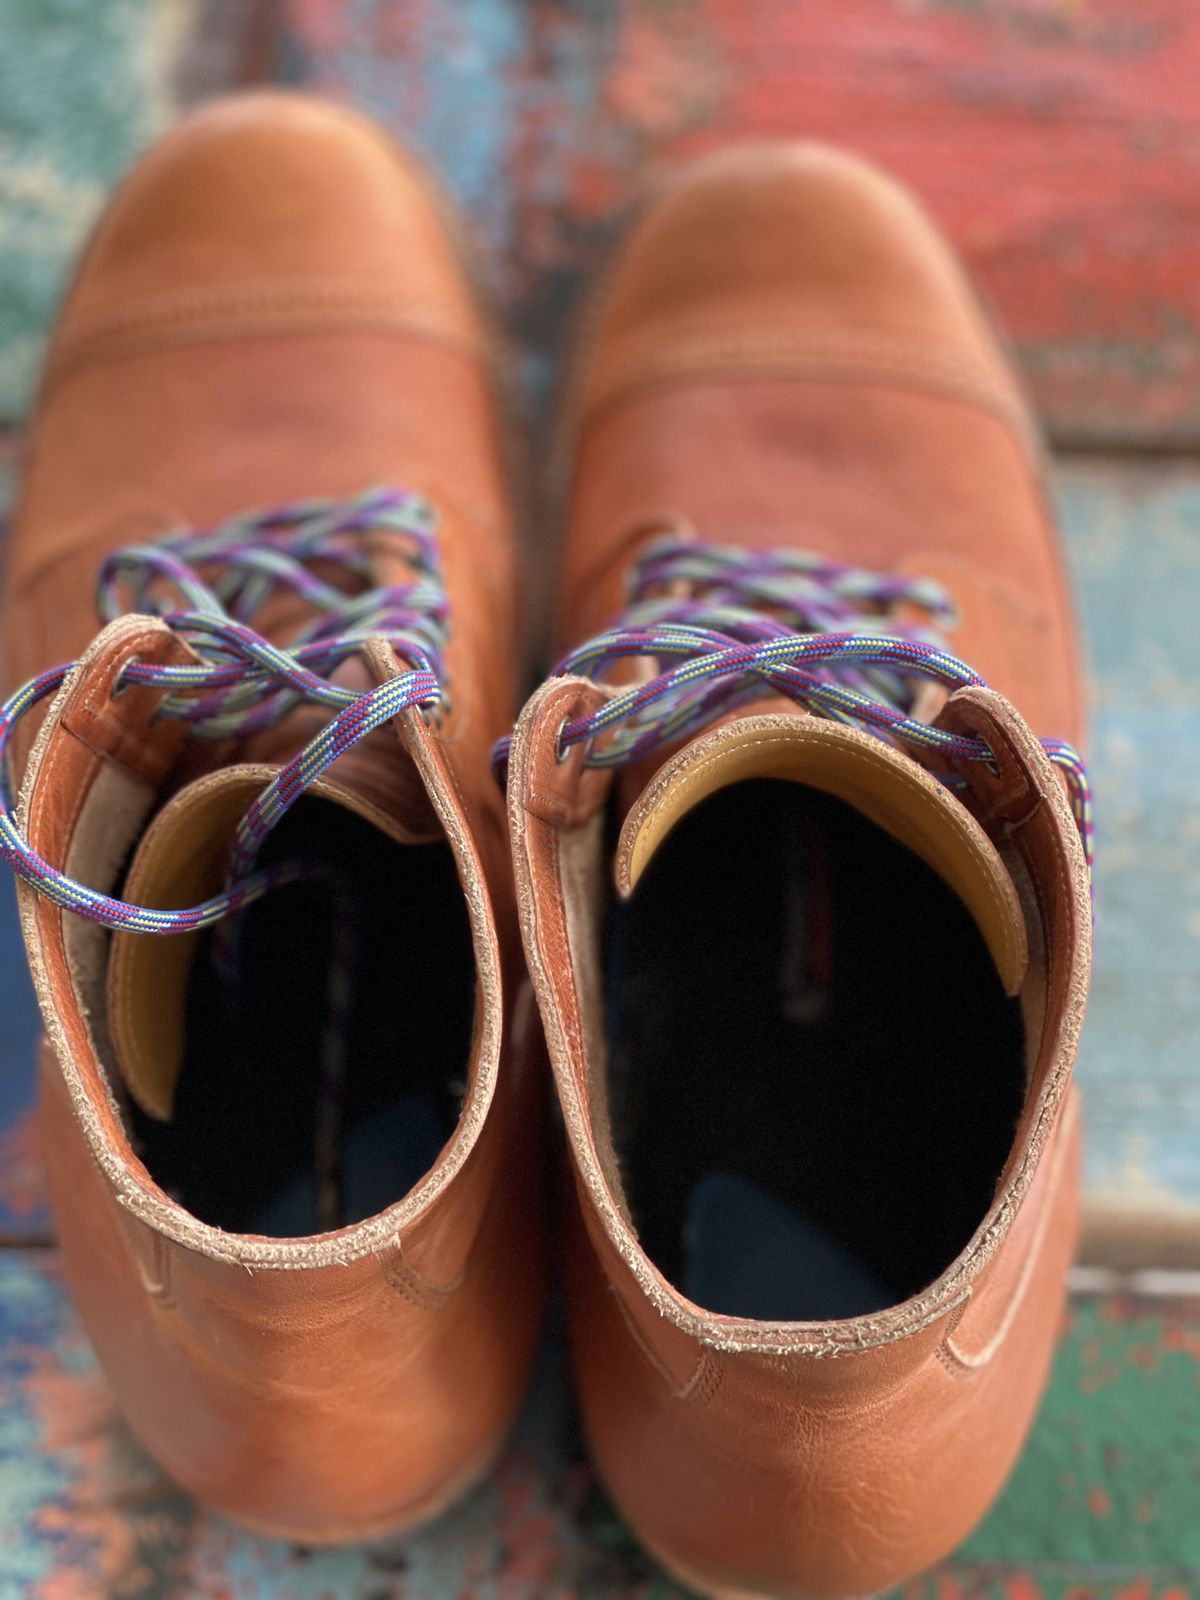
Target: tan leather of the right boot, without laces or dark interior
(785, 353)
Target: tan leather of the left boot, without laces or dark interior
(273, 308)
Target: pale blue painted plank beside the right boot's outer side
(1134, 540)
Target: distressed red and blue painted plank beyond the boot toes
(1057, 140)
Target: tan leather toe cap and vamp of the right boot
(785, 353)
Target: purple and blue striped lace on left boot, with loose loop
(206, 586)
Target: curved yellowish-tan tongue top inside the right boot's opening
(890, 790)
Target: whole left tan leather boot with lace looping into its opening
(294, 1166)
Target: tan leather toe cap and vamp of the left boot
(297, 236)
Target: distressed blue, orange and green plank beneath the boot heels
(1103, 1505)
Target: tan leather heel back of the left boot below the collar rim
(294, 1399)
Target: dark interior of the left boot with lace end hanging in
(278, 1130)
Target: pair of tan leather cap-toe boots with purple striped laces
(796, 898)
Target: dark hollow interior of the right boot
(815, 1073)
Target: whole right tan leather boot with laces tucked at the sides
(804, 903)
